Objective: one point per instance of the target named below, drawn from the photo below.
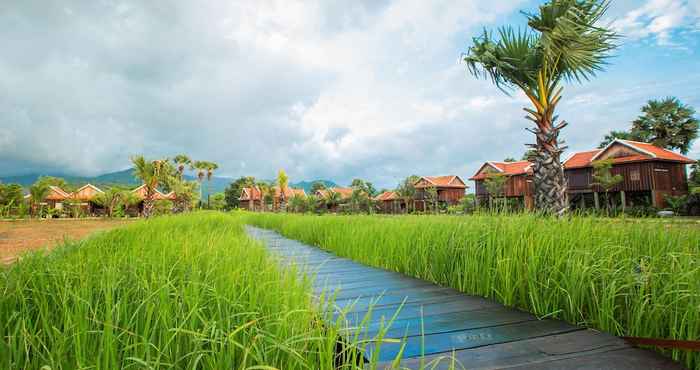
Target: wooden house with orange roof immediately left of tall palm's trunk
(518, 184)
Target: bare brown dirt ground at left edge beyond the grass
(19, 236)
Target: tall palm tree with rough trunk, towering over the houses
(565, 44)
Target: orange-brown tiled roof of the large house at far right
(647, 152)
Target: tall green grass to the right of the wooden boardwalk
(635, 279)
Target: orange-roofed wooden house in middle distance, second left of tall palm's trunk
(450, 191)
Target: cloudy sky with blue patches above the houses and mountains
(331, 89)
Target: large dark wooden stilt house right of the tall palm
(649, 174)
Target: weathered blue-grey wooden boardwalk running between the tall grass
(442, 324)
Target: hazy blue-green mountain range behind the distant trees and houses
(126, 177)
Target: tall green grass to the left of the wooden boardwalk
(184, 292)
